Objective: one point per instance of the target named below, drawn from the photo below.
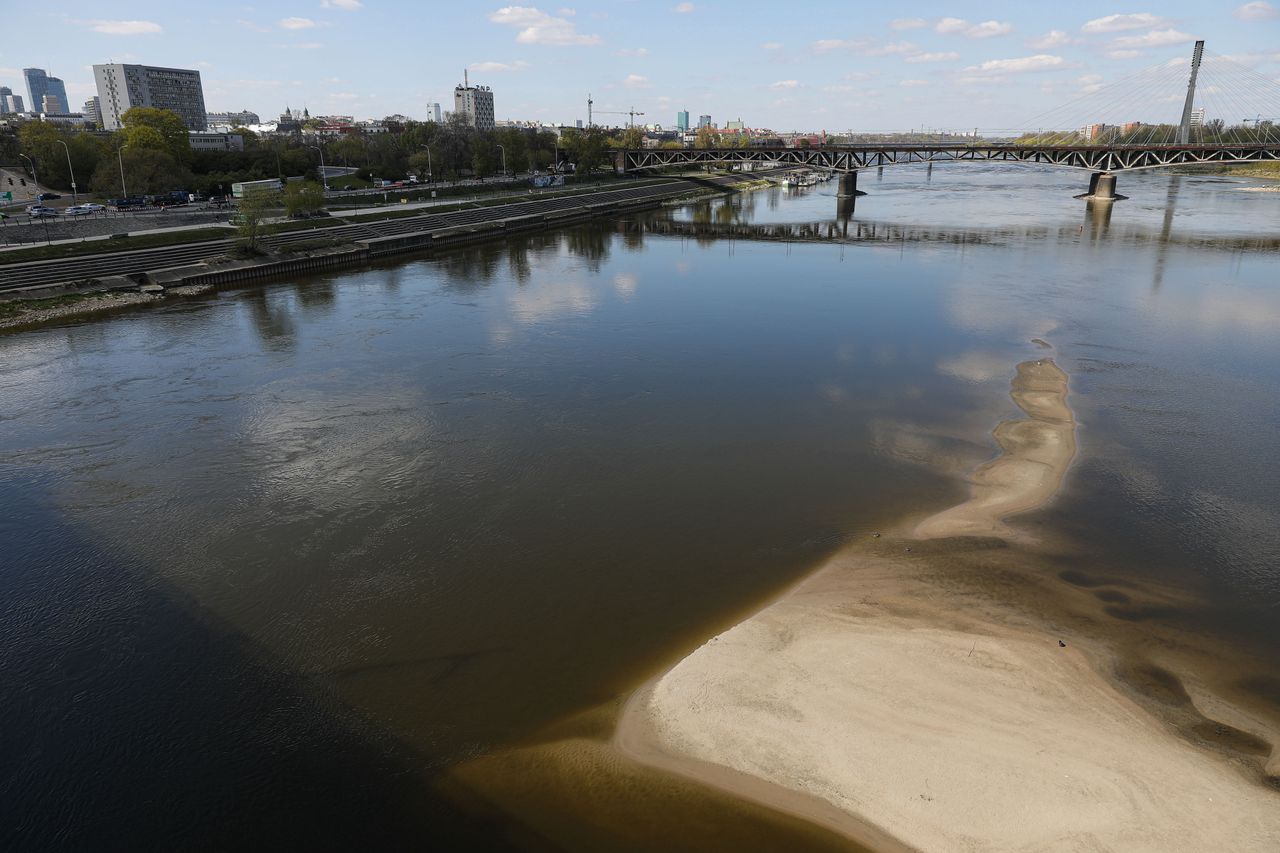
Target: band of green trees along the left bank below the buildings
(153, 154)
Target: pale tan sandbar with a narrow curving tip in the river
(886, 703)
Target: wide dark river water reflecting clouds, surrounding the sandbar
(276, 560)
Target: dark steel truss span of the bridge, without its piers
(1095, 158)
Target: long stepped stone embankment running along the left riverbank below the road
(35, 275)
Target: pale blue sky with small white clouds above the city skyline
(784, 66)
